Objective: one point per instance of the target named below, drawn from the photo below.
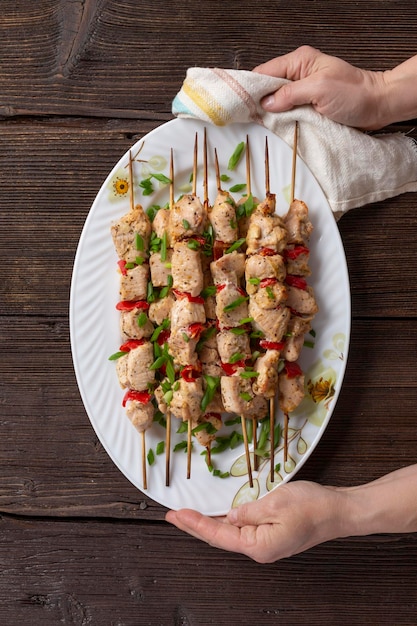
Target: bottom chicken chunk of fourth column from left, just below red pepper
(234, 390)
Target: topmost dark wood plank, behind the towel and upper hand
(107, 58)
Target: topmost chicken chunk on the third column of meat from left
(187, 218)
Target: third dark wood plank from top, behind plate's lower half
(54, 465)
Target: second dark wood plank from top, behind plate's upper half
(74, 157)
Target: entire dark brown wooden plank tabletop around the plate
(79, 83)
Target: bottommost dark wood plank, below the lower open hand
(51, 572)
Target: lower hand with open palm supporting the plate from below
(289, 520)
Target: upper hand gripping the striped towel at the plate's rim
(336, 89)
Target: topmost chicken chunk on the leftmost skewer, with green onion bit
(131, 234)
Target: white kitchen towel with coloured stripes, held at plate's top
(353, 168)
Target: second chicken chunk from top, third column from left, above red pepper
(186, 269)
